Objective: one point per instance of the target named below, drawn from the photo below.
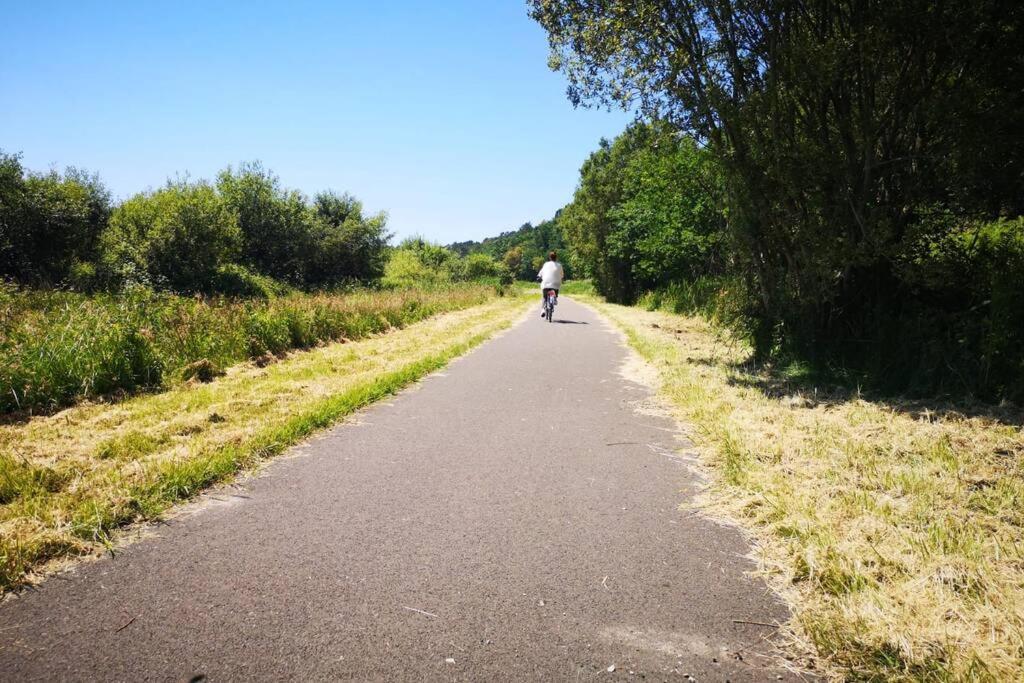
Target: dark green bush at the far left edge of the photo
(49, 223)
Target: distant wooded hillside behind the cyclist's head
(523, 251)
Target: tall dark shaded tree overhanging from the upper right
(838, 131)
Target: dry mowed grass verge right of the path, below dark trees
(893, 529)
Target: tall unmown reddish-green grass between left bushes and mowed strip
(58, 349)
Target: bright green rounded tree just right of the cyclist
(648, 211)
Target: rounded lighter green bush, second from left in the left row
(176, 238)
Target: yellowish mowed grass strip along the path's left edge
(69, 481)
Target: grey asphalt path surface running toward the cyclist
(515, 519)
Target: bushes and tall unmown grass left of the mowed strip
(179, 284)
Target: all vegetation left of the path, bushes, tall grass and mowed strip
(153, 348)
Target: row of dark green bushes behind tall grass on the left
(243, 235)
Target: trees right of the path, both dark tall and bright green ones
(843, 183)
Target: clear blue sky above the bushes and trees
(444, 114)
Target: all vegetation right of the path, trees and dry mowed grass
(819, 219)
